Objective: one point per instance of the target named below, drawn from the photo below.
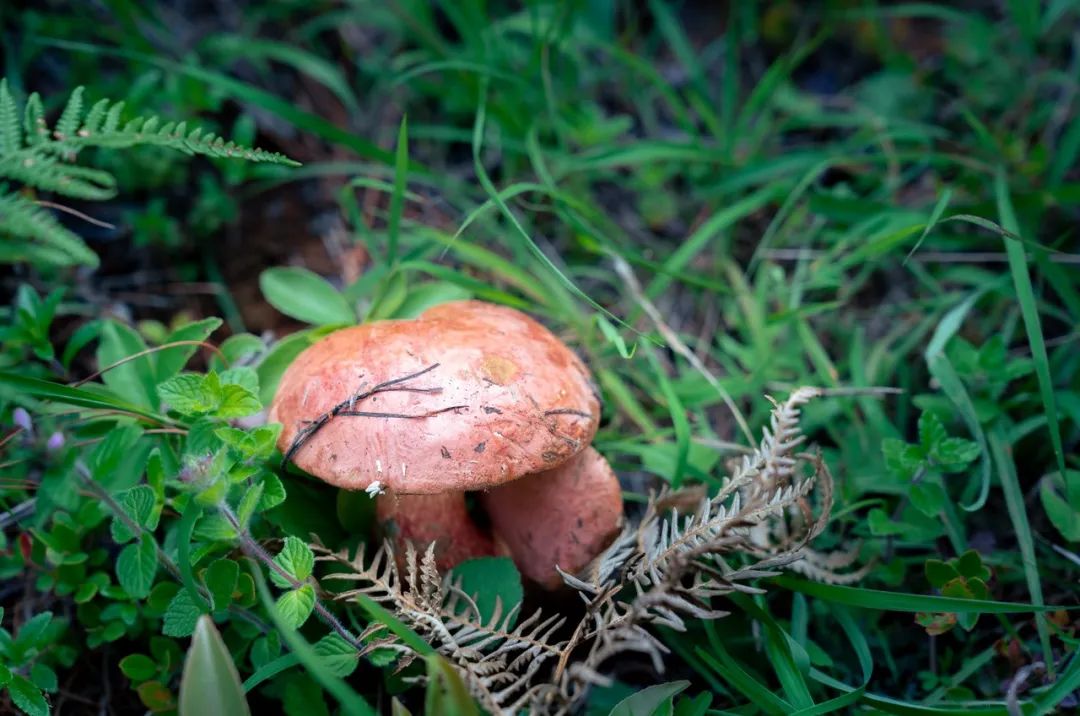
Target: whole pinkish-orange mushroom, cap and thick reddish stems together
(469, 397)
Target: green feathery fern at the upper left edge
(42, 158)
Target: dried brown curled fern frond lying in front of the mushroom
(663, 571)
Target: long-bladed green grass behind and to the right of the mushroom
(853, 196)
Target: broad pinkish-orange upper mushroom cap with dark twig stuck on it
(506, 399)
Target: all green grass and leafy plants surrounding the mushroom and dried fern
(710, 204)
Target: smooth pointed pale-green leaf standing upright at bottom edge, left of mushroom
(210, 683)
